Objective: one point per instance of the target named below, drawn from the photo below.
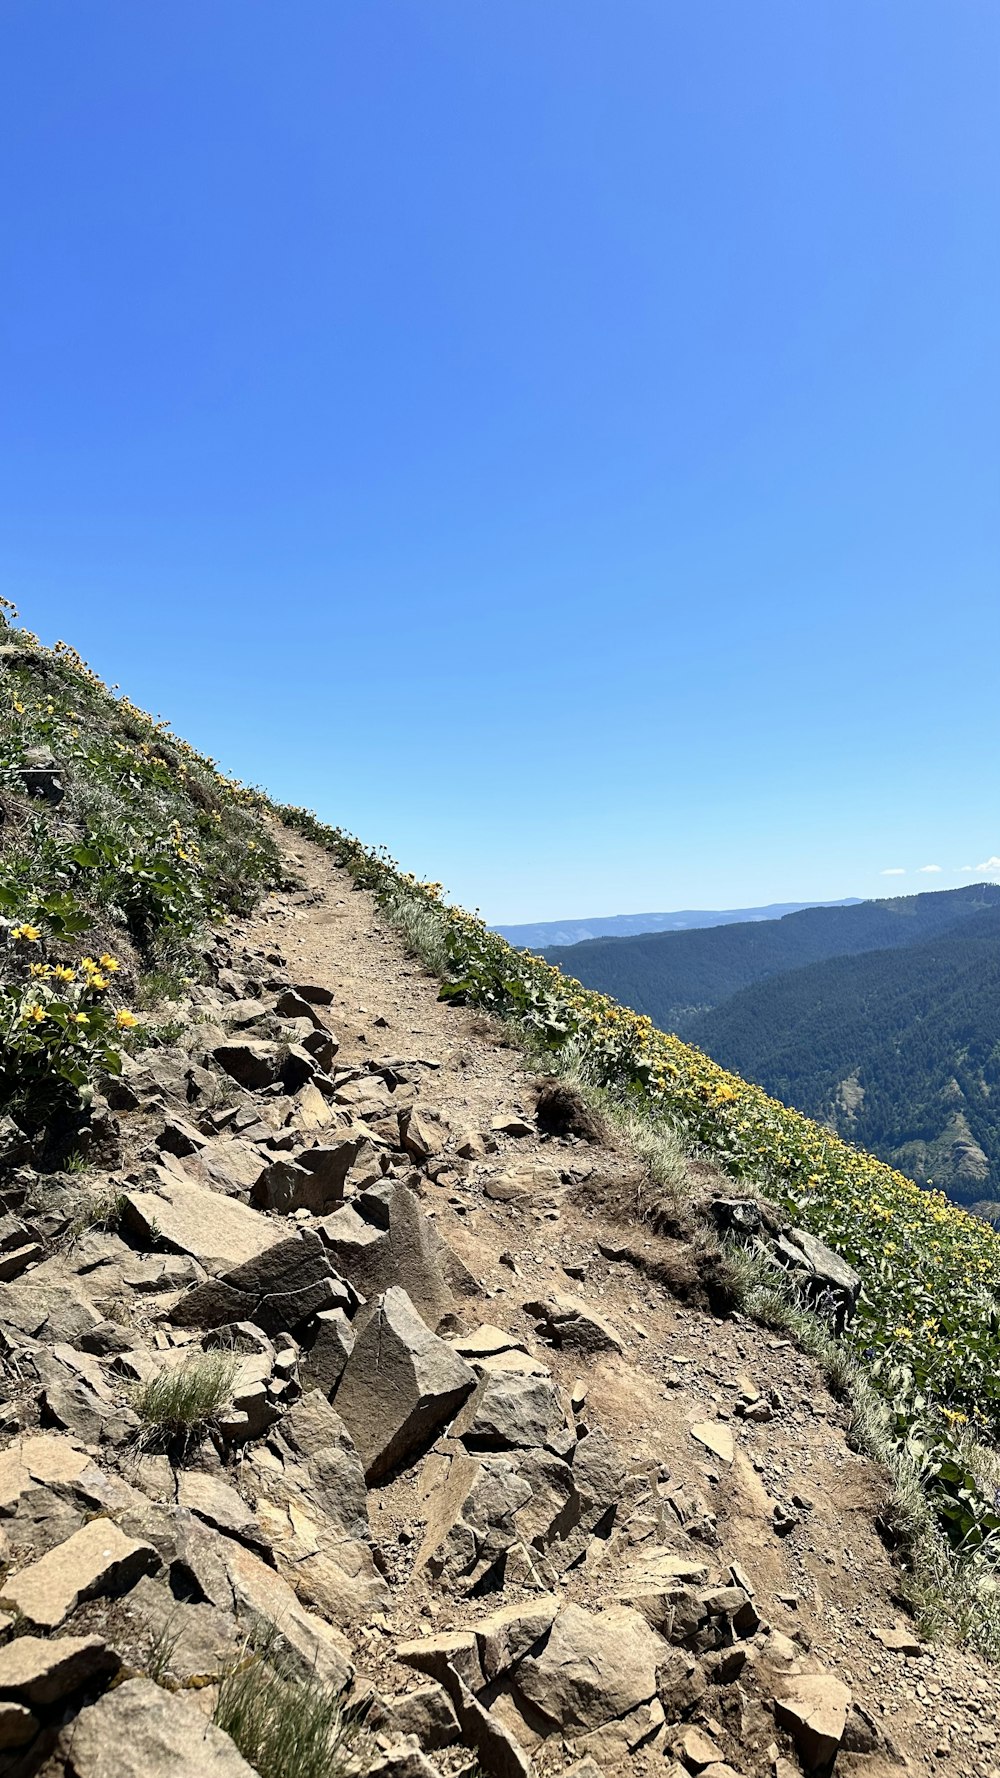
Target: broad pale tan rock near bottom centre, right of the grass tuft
(597, 1667)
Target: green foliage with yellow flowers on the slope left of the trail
(147, 849)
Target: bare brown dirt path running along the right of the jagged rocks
(828, 1582)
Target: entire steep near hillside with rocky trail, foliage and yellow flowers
(380, 1393)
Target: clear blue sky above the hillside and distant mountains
(558, 440)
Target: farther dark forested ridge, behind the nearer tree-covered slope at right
(675, 979)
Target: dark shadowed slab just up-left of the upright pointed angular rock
(291, 1281)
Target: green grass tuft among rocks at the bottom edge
(287, 1727)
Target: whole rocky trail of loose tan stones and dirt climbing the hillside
(485, 1452)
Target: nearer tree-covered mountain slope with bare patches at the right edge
(896, 1050)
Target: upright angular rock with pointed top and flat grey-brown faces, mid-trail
(399, 1388)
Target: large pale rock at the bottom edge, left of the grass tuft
(140, 1731)
